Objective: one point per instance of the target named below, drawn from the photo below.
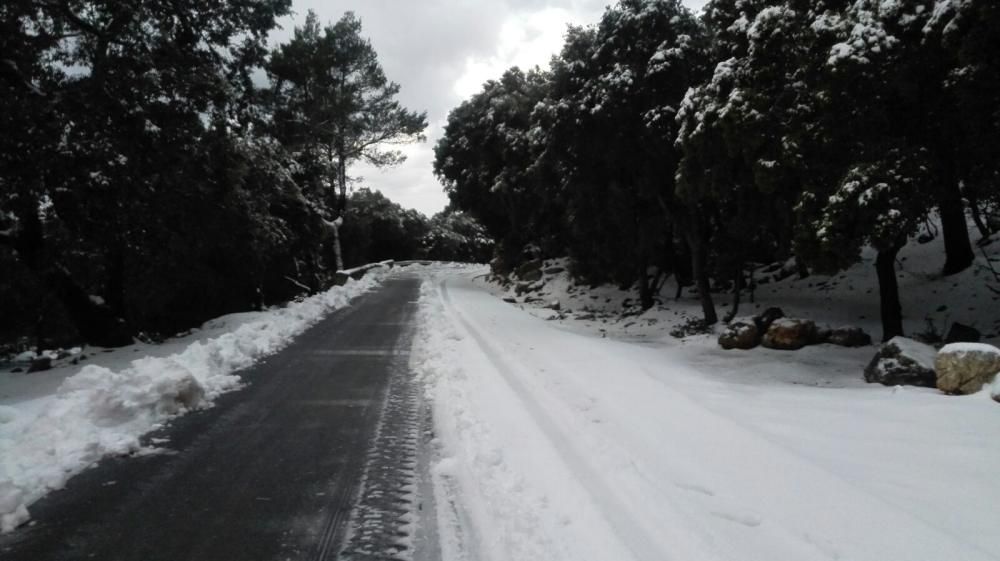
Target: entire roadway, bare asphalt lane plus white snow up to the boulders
(466, 429)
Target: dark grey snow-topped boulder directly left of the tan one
(902, 361)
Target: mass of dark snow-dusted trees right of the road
(660, 143)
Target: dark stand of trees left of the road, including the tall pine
(160, 166)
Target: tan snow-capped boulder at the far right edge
(964, 368)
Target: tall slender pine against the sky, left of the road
(334, 106)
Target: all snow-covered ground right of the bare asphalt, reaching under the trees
(606, 438)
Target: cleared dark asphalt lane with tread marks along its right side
(326, 432)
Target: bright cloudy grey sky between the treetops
(441, 52)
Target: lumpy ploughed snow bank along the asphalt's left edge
(99, 412)
